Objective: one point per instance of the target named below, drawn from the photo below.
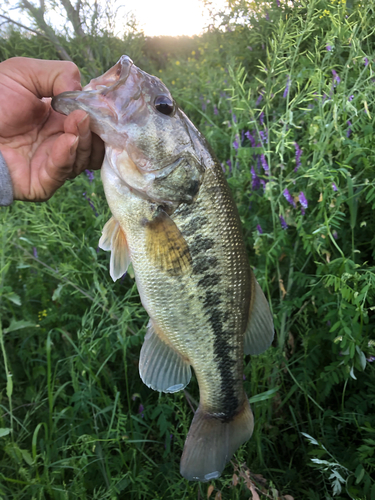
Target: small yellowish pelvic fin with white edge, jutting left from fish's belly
(113, 238)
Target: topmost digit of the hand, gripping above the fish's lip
(43, 78)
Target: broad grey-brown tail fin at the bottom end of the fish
(210, 443)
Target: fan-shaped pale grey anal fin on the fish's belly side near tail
(160, 366)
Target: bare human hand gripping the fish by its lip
(43, 148)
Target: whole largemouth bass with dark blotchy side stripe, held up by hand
(174, 219)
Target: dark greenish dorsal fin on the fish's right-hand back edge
(259, 333)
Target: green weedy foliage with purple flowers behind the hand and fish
(284, 92)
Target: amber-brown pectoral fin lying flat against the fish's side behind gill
(166, 246)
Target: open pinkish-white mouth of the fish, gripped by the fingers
(93, 97)
